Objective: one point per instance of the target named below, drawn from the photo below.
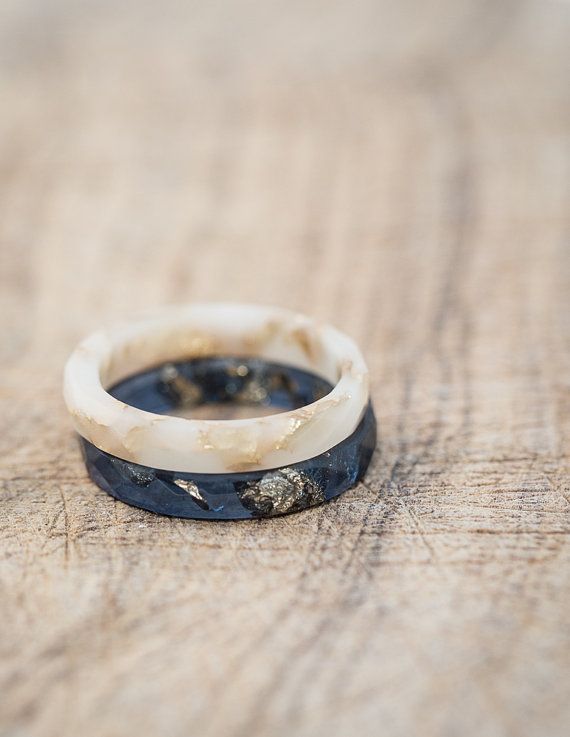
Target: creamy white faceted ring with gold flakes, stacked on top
(215, 446)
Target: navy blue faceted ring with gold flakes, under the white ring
(233, 495)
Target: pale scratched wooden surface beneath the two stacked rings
(398, 169)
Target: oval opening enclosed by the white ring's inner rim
(221, 388)
